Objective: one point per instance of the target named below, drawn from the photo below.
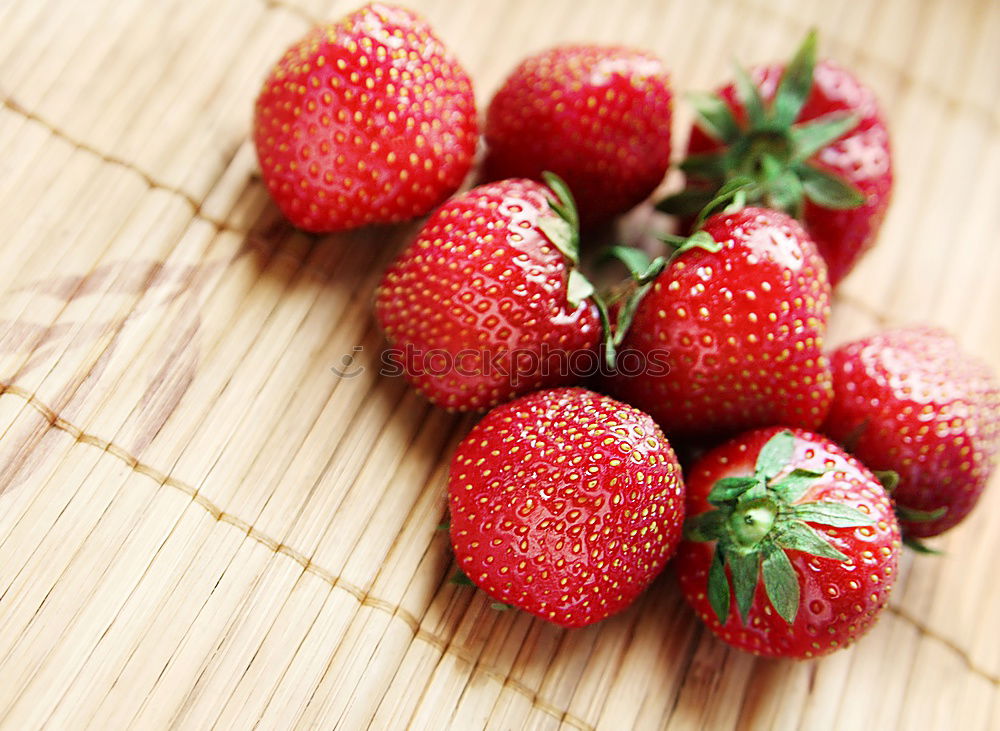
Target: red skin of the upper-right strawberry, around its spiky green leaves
(863, 158)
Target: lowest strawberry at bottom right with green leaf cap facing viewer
(791, 544)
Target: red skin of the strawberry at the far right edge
(932, 415)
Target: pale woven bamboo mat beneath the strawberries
(201, 524)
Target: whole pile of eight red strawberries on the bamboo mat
(807, 470)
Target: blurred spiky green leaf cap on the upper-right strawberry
(769, 152)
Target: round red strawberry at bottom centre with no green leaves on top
(566, 504)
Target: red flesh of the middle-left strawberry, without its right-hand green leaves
(484, 285)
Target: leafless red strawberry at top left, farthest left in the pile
(367, 120)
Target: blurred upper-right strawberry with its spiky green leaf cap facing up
(812, 139)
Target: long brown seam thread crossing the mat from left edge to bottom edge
(275, 546)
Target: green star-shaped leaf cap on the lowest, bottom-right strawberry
(756, 520)
